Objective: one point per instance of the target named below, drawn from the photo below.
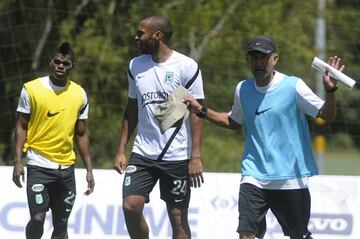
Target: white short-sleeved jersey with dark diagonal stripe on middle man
(151, 83)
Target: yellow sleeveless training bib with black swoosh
(52, 120)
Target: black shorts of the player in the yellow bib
(50, 188)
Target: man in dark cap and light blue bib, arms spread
(278, 157)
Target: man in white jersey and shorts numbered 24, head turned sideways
(172, 158)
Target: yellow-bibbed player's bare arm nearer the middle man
(82, 142)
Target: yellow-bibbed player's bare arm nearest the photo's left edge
(20, 138)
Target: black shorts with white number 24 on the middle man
(142, 174)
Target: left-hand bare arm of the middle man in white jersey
(128, 126)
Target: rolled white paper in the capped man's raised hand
(321, 66)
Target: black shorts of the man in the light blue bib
(290, 207)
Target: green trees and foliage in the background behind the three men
(214, 33)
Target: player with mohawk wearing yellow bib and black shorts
(51, 110)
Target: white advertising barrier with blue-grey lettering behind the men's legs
(212, 213)
